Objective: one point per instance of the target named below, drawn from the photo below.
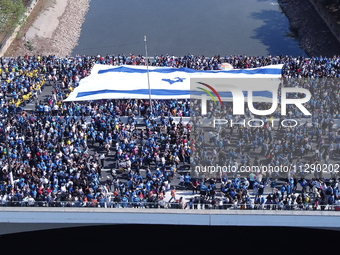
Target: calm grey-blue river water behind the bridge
(180, 27)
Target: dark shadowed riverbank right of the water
(315, 38)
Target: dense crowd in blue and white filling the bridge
(50, 156)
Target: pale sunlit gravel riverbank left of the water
(55, 30)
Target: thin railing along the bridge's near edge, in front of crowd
(166, 205)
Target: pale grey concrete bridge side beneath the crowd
(46, 218)
